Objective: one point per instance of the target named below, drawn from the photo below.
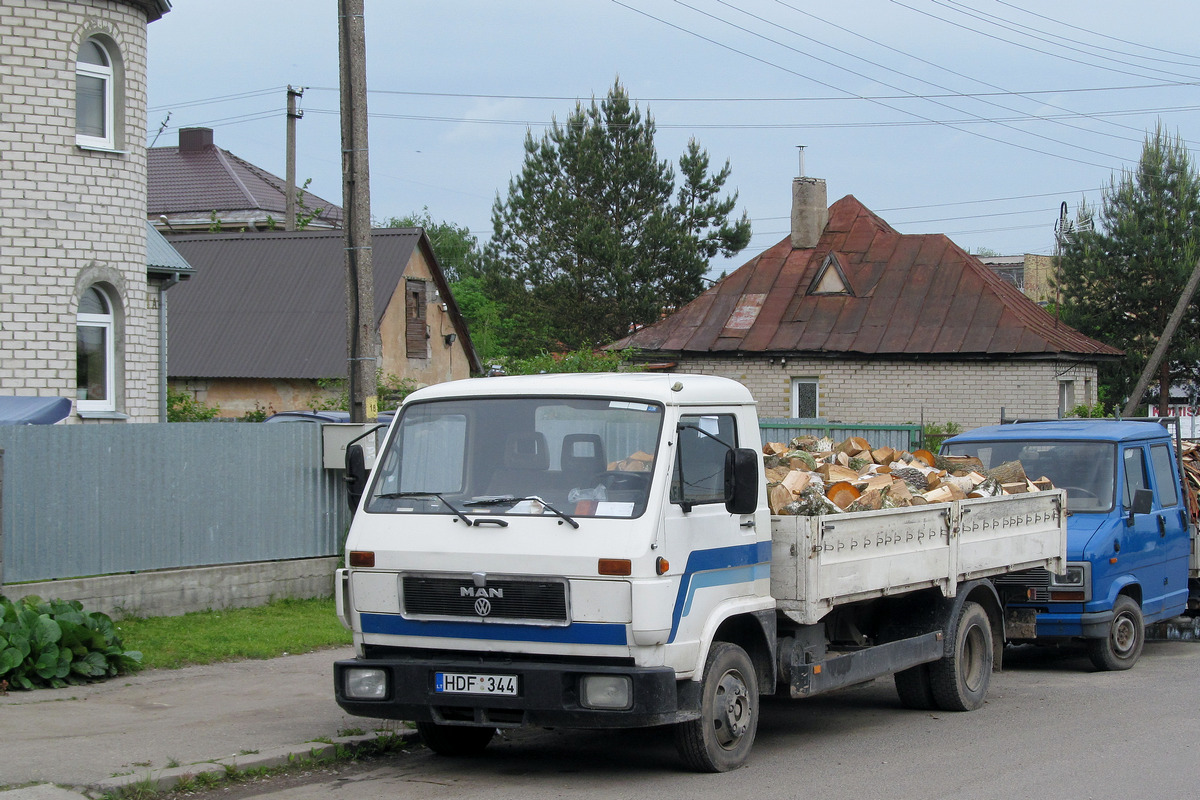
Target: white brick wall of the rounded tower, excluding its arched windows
(68, 215)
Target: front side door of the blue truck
(1142, 551)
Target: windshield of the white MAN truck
(501, 456)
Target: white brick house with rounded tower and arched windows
(81, 317)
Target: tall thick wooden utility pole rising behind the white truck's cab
(357, 206)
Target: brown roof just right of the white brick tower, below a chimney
(213, 179)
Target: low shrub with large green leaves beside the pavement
(57, 643)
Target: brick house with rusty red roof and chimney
(850, 321)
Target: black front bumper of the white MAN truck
(549, 695)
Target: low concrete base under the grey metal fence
(170, 593)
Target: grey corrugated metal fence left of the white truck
(83, 501)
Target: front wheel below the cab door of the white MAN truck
(722, 738)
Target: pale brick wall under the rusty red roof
(886, 392)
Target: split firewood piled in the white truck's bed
(811, 477)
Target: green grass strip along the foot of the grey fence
(286, 627)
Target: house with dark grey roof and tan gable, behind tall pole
(263, 322)
